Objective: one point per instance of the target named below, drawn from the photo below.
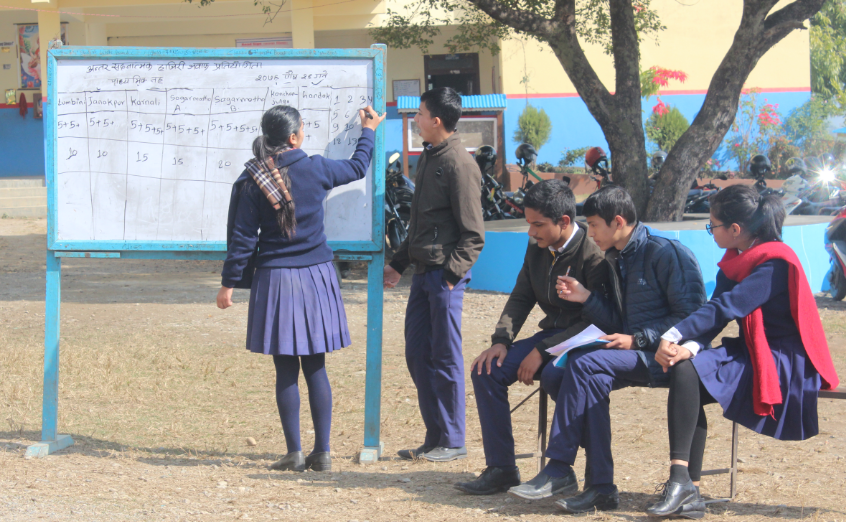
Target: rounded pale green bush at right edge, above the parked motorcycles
(807, 128)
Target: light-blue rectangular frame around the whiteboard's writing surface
(377, 187)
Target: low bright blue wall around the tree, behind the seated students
(502, 257)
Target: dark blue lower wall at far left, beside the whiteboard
(21, 144)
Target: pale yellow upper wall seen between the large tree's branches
(696, 39)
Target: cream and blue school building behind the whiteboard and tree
(695, 41)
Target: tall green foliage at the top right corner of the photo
(828, 52)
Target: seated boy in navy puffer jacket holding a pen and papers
(655, 283)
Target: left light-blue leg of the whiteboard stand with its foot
(50, 441)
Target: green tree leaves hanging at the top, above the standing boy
(420, 21)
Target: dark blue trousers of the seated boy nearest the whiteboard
(492, 400)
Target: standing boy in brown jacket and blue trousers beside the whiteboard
(445, 238)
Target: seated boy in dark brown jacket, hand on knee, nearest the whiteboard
(558, 246)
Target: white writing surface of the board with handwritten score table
(147, 149)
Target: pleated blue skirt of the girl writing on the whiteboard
(296, 311)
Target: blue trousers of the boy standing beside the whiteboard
(434, 358)
